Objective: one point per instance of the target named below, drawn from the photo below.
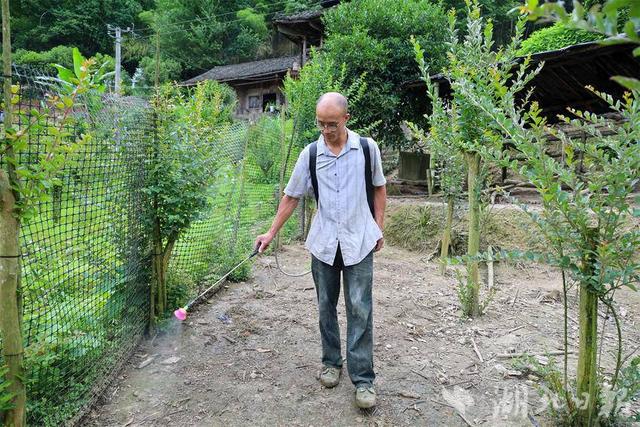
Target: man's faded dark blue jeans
(358, 280)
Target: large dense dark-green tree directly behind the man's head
(372, 37)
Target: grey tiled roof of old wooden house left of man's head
(248, 72)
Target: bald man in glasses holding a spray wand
(343, 236)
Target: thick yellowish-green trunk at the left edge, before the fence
(10, 322)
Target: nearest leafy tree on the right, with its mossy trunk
(586, 217)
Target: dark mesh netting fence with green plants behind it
(87, 253)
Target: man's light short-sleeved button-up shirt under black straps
(343, 215)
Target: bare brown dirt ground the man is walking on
(250, 356)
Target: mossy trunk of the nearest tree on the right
(587, 380)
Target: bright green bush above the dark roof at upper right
(556, 37)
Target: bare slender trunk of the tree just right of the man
(473, 244)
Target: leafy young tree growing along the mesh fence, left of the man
(185, 159)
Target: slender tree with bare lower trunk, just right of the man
(473, 62)
